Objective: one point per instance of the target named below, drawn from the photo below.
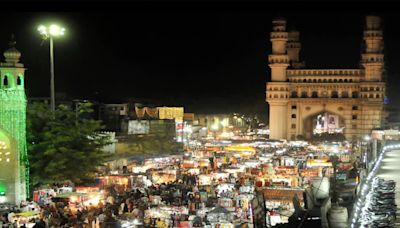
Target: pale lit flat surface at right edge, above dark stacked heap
(390, 170)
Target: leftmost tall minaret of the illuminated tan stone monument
(278, 88)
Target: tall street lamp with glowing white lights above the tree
(48, 33)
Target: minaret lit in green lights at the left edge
(14, 166)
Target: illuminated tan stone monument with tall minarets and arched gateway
(352, 99)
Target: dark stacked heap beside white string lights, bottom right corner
(380, 207)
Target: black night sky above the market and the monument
(211, 60)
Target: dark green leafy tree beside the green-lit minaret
(62, 146)
